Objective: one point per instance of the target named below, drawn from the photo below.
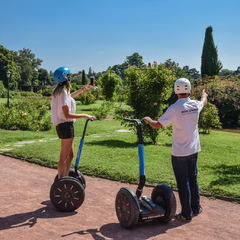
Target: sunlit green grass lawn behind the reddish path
(111, 153)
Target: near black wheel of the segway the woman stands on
(67, 194)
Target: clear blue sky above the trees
(100, 33)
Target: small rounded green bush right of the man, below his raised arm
(209, 118)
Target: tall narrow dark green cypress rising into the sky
(210, 64)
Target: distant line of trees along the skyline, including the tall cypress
(26, 69)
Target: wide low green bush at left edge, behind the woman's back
(27, 114)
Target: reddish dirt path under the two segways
(27, 213)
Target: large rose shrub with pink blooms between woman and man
(147, 89)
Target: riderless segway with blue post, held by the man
(132, 208)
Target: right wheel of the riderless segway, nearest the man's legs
(163, 196)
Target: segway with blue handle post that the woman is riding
(68, 193)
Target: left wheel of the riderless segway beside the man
(126, 206)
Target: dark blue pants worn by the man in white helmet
(185, 170)
